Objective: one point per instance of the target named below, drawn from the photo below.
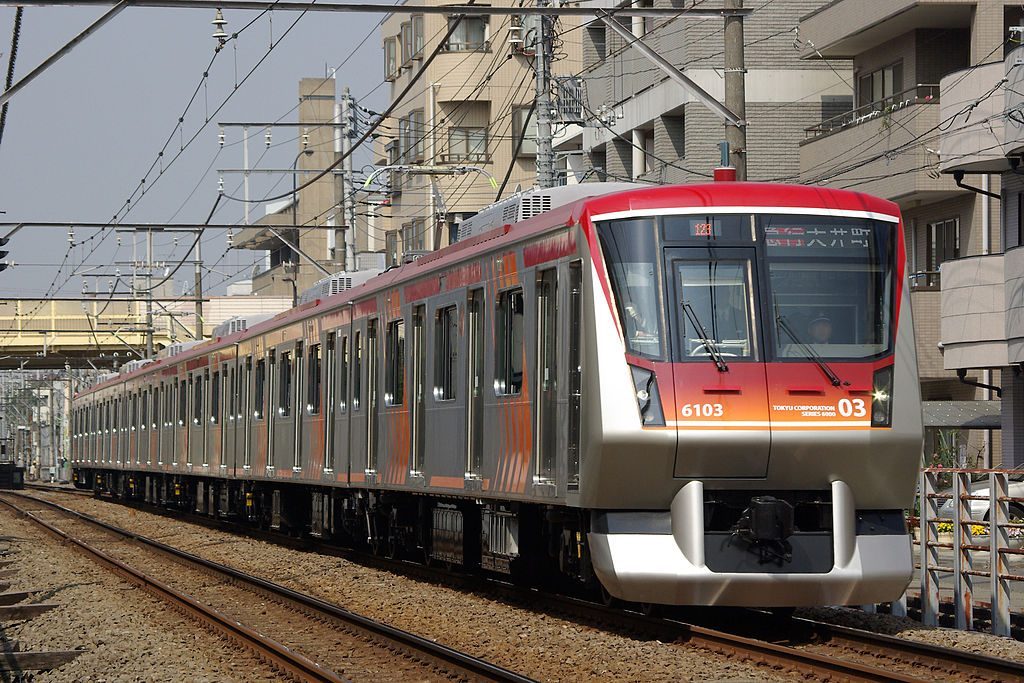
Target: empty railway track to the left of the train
(282, 626)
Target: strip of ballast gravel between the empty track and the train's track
(540, 646)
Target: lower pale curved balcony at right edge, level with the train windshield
(973, 313)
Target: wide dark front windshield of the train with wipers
(742, 287)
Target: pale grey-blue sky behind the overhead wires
(81, 137)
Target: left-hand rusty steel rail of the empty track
(287, 660)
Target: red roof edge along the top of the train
(753, 196)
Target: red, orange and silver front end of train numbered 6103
(759, 440)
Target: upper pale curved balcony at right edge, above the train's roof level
(972, 114)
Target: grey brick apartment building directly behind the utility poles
(645, 127)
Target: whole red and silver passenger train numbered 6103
(702, 395)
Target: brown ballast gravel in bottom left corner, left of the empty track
(125, 634)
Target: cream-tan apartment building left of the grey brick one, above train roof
(456, 136)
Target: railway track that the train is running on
(803, 647)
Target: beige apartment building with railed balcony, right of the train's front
(922, 70)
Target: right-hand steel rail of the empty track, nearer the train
(475, 667)
